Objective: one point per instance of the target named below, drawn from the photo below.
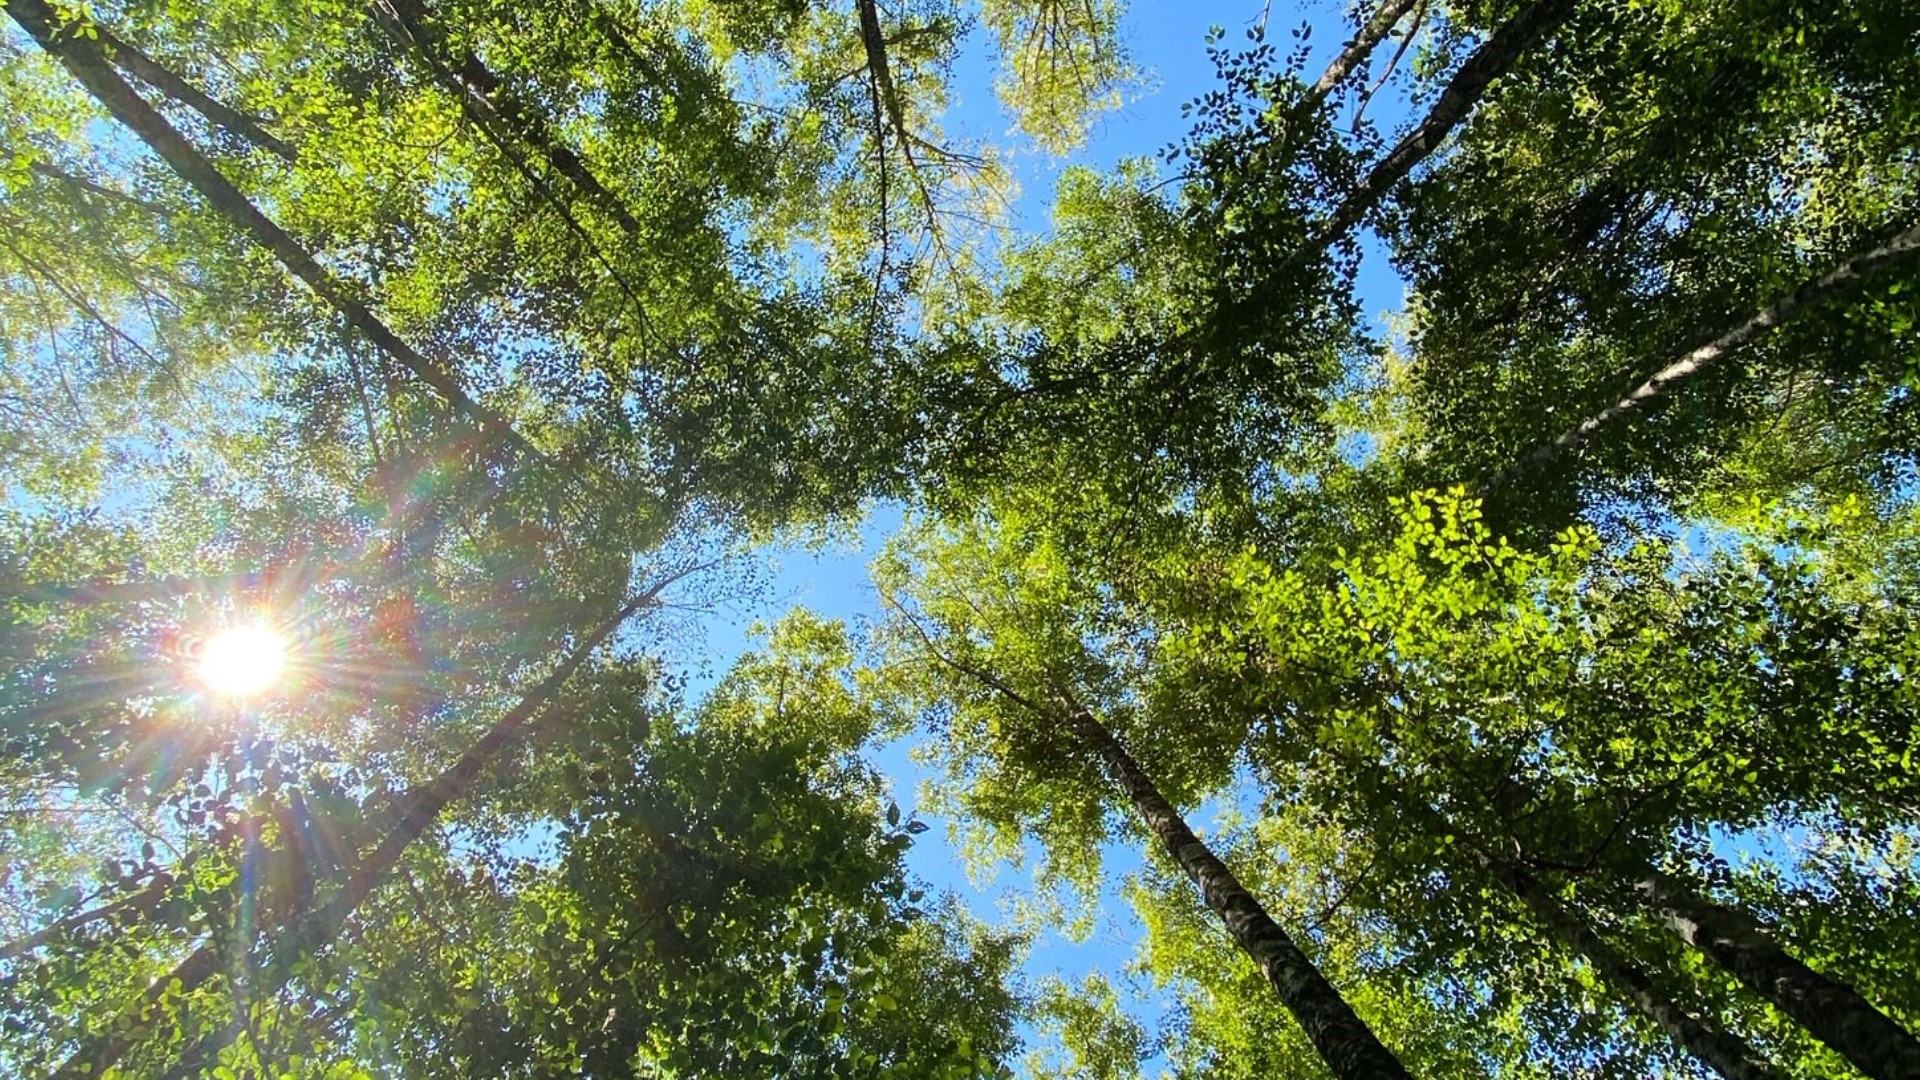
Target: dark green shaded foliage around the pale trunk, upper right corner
(1664, 172)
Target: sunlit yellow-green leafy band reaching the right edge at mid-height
(1685, 681)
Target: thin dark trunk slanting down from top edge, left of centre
(492, 103)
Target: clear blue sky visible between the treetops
(1168, 41)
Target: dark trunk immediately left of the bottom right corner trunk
(1719, 1050)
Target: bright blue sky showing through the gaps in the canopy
(1168, 41)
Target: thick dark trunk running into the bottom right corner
(1833, 1012)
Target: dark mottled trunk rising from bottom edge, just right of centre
(1343, 1039)
